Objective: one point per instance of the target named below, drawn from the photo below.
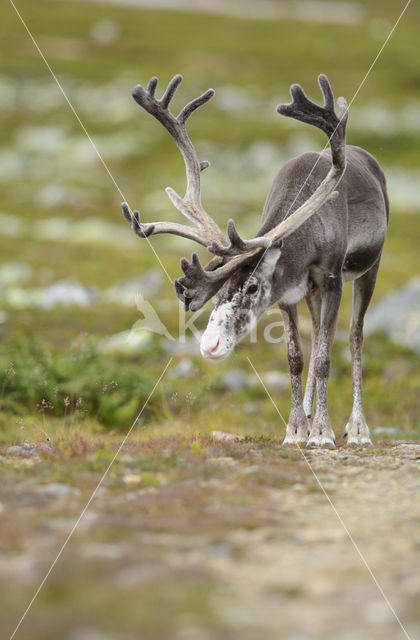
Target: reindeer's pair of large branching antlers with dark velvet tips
(199, 284)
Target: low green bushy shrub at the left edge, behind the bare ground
(75, 384)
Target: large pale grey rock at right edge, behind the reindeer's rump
(398, 316)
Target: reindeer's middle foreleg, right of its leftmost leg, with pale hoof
(321, 434)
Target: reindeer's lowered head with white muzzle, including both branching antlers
(242, 273)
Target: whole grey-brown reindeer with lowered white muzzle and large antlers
(324, 222)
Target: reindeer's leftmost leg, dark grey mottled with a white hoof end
(297, 428)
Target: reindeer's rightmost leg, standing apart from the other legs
(357, 430)
